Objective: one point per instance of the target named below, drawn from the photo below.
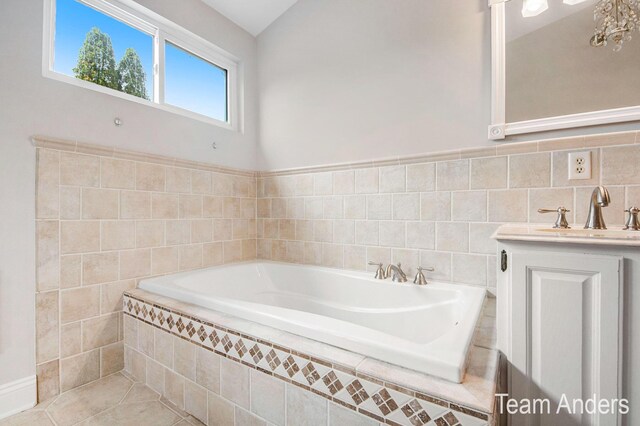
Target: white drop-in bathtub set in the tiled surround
(424, 328)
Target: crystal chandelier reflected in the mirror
(615, 19)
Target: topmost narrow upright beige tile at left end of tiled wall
(47, 181)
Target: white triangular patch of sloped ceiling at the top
(252, 15)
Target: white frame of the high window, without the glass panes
(161, 30)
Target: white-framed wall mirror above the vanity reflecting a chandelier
(547, 73)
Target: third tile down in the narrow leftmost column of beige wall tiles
(47, 326)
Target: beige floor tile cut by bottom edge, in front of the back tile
(151, 413)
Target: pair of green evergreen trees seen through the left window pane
(97, 64)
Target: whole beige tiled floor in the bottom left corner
(113, 400)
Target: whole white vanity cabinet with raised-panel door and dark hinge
(562, 314)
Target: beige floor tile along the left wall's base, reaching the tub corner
(86, 401)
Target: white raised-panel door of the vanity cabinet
(564, 339)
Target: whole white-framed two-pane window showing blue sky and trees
(119, 47)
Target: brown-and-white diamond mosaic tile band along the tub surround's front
(384, 402)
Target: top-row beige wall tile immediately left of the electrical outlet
(530, 170)
